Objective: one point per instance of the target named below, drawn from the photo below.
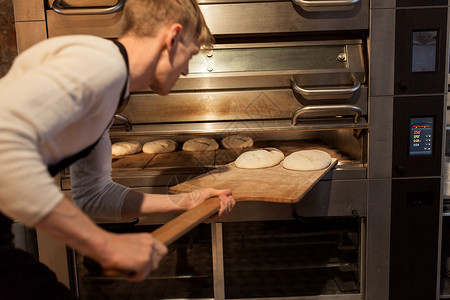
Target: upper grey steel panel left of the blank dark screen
(381, 52)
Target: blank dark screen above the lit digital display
(424, 48)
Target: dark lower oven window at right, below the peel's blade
(291, 258)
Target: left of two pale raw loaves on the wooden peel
(259, 158)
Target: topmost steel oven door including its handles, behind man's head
(104, 17)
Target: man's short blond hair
(146, 17)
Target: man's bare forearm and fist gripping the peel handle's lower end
(136, 254)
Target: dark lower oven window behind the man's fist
(184, 273)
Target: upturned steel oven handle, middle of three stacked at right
(326, 93)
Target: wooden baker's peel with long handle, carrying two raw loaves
(274, 184)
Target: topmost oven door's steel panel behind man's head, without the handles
(237, 18)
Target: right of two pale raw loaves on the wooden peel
(307, 160)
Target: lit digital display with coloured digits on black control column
(421, 136)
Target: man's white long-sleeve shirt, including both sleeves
(59, 98)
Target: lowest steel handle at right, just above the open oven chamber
(334, 110)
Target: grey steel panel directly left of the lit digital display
(380, 138)
